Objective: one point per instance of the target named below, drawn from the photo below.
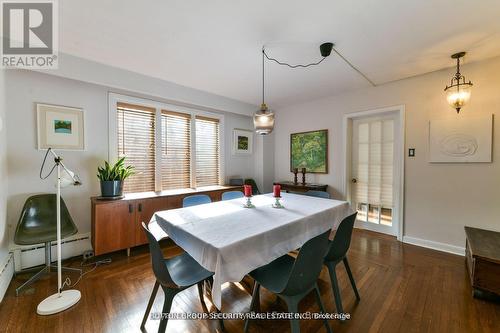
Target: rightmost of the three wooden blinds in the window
(207, 151)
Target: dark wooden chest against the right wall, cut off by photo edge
(482, 253)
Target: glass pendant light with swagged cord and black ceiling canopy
(263, 119)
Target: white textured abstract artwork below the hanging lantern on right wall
(461, 139)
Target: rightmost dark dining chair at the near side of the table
(337, 253)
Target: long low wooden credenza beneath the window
(117, 224)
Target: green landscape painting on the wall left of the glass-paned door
(309, 150)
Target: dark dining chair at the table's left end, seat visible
(173, 275)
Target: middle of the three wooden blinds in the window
(175, 150)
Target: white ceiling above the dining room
(215, 45)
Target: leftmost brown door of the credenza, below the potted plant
(114, 226)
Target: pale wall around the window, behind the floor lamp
(25, 88)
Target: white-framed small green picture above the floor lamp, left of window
(60, 127)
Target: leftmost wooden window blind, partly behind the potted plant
(136, 141)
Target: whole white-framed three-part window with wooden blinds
(170, 147)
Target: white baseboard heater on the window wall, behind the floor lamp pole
(26, 256)
